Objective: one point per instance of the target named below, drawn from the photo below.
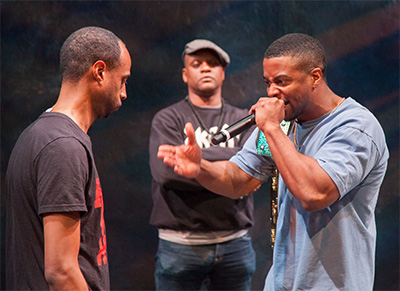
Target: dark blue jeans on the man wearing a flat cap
(223, 266)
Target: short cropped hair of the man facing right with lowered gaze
(86, 46)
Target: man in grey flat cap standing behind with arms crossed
(203, 237)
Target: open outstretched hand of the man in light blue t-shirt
(185, 159)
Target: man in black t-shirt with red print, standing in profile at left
(56, 236)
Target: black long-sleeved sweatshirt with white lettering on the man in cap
(183, 204)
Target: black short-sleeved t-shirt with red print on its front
(51, 169)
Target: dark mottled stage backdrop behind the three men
(362, 43)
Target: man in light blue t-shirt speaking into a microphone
(332, 162)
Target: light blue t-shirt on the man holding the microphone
(331, 249)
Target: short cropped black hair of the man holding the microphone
(307, 50)
